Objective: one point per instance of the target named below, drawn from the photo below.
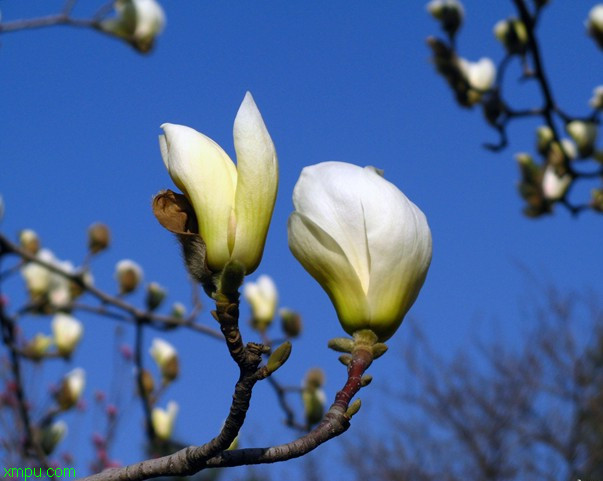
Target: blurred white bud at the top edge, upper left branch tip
(138, 22)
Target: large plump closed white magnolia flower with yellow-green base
(360, 237)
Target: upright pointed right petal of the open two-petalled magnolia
(257, 184)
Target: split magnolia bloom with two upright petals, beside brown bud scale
(233, 205)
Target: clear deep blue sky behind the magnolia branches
(335, 80)
